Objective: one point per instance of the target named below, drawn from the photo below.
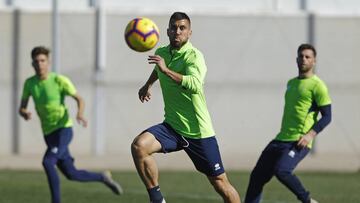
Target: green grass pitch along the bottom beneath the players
(177, 187)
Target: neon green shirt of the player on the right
(302, 99)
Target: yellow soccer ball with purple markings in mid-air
(141, 34)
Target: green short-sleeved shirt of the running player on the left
(49, 96)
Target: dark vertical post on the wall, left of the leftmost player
(15, 83)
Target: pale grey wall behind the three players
(249, 57)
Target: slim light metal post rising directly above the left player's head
(55, 36)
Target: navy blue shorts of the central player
(204, 153)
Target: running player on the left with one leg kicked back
(48, 91)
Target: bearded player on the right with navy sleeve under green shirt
(305, 96)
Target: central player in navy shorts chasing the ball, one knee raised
(181, 70)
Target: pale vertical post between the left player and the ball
(100, 64)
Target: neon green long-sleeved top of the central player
(185, 105)
